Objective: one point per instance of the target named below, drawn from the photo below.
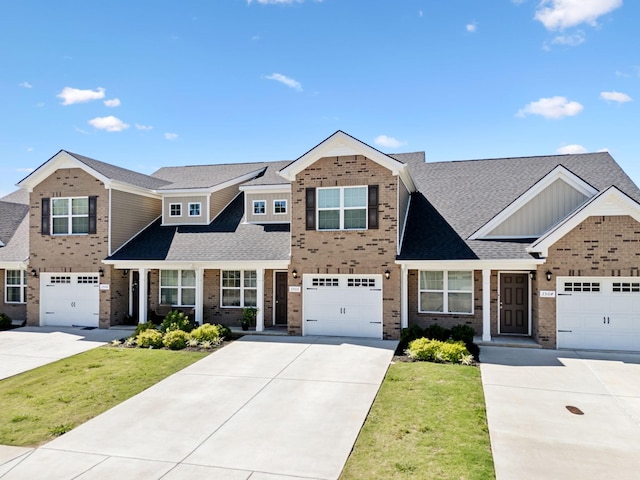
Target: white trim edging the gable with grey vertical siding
(558, 173)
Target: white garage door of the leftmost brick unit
(68, 299)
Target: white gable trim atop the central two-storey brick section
(341, 144)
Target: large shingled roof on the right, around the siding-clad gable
(465, 195)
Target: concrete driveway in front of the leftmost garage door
(26, 348)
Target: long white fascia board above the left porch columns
(172, 265)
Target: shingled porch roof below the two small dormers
(224, 239)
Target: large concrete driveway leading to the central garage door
(264, 408)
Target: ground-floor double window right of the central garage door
(446, 291)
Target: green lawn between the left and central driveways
(36, 406)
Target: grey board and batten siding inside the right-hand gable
(542, 212)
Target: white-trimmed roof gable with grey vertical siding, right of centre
(541, 207)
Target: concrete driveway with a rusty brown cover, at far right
(534, 435)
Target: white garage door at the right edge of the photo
(599, 313)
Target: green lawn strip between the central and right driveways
(427, 422)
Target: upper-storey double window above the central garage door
(342, 208)
